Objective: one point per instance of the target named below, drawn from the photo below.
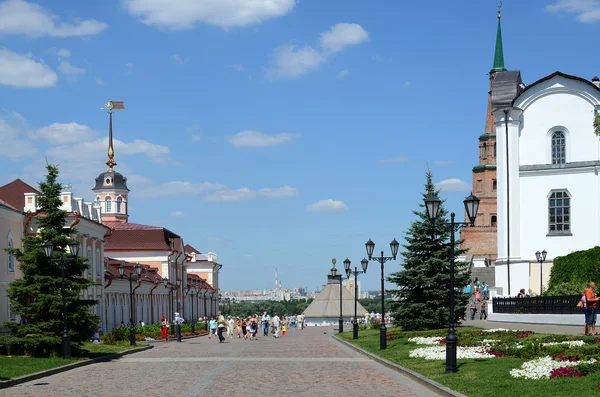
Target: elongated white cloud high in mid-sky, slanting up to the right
(291, 61)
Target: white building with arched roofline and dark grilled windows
(549, 195)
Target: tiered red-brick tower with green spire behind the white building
(482, 240)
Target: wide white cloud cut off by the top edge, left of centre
(185, 14)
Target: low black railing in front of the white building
(538, 305)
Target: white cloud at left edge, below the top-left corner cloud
(18, 70)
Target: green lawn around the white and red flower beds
(476, 377)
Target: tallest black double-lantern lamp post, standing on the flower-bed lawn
(432, 204)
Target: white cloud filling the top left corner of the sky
(20, 17)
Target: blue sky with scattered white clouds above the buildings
(274, 133)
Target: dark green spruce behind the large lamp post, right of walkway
(422, 299)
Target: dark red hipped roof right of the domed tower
(135, 237)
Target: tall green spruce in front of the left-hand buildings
(36, 296)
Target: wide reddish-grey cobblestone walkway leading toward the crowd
(302, 364)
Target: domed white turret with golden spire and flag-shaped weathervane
(111, 192)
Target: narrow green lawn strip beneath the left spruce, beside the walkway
(15, 366)
